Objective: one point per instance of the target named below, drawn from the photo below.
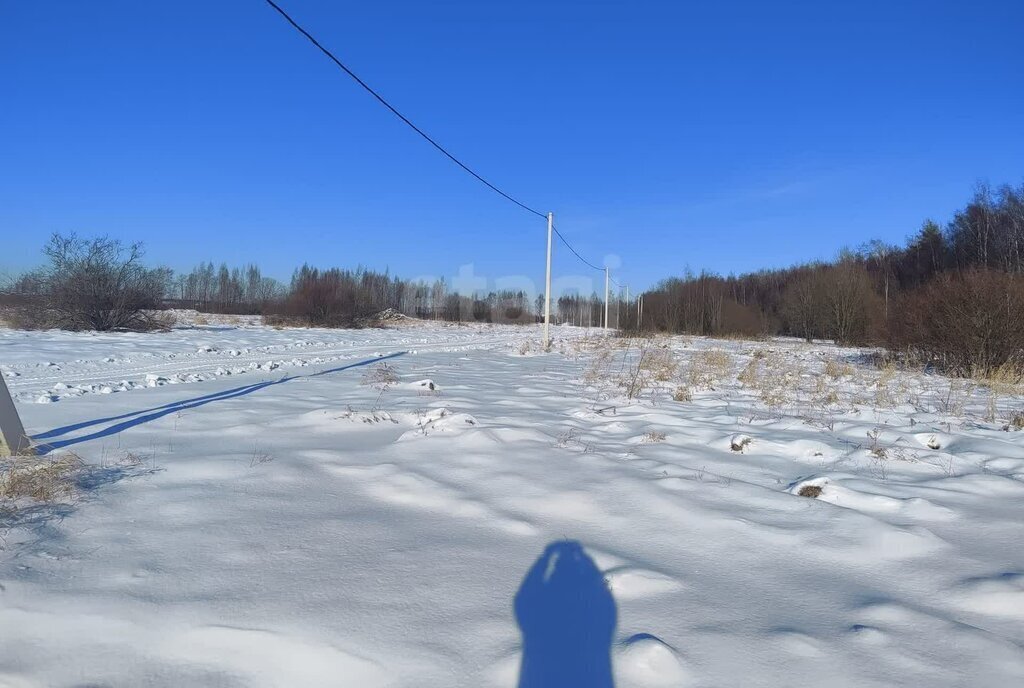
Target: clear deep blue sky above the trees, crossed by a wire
(720, 136)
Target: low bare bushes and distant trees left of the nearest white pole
(103, 284)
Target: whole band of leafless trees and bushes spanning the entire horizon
(952, 295)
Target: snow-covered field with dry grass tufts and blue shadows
(327, 508)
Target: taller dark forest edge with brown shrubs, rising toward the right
(952, 295)
